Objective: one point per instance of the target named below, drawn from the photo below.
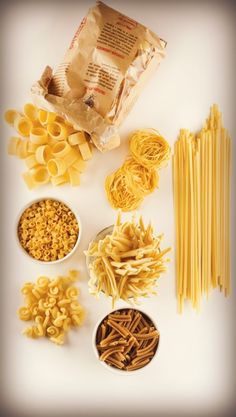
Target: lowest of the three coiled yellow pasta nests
(121, 191)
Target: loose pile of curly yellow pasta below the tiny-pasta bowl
(52, 305)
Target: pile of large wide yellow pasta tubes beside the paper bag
(49, 143)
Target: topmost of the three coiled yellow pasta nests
(149, 148)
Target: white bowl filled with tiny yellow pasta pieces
(48, 230)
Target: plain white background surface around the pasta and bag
(193, 373)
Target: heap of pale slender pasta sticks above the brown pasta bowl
(127, 262)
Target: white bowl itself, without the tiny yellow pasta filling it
(74, 211)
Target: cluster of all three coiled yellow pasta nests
(139, 173)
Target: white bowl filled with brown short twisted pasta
(126, 340)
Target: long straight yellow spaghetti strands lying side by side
(201, 180)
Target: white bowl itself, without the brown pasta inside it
(111, 368)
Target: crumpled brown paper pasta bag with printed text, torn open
(105, 68)
